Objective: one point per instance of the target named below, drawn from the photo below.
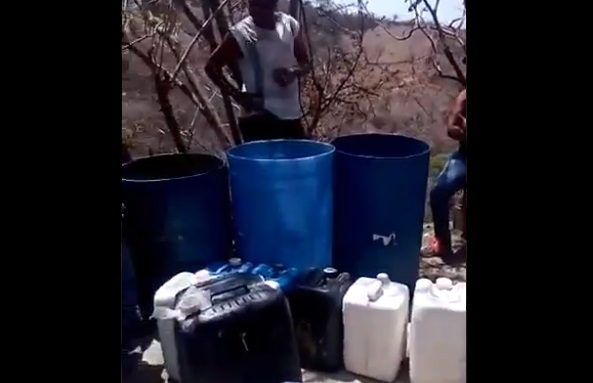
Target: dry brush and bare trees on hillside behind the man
(169, 104)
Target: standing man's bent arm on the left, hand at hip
(226, 54)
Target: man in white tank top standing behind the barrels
(268, 48)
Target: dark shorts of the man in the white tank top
(266, 126)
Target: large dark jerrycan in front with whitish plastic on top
(243, 334)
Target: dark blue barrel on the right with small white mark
(380, 192)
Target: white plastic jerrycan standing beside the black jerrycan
(375, 321)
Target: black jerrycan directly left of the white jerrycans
(316, 305)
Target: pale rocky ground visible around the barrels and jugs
(151, 360)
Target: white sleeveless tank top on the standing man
(276, 50)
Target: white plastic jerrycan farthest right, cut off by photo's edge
(437, 340)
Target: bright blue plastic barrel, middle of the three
(282, 201)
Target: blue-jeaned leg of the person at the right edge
(450, 181)
